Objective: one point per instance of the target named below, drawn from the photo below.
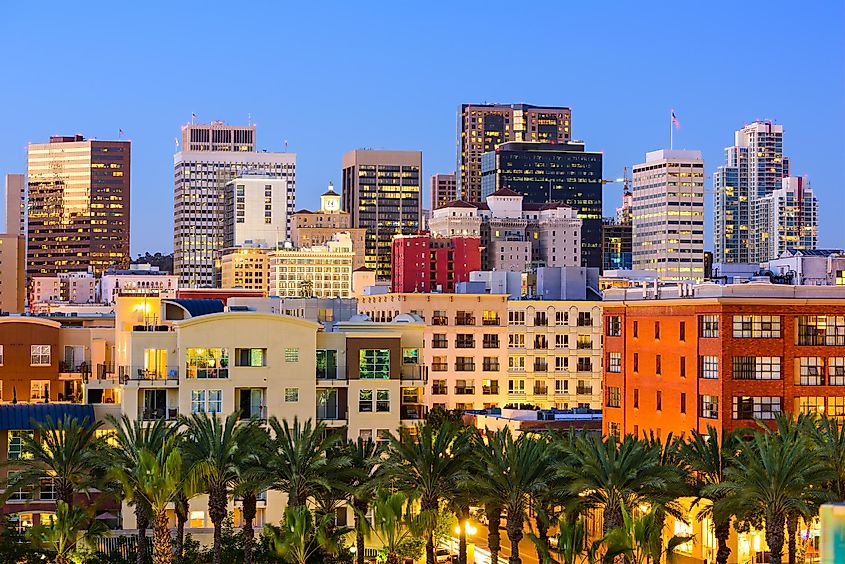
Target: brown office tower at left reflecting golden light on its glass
(78, 205)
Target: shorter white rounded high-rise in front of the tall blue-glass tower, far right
(786, 218)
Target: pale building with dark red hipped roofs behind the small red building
(516, 236)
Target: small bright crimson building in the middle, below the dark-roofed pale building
(422, 263)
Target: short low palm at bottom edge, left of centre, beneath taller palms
(301, 537)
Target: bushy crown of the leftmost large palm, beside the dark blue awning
(68, 451)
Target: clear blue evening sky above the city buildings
(329, 77)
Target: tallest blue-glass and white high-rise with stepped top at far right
(754, 167)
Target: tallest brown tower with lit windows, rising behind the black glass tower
(482, 127)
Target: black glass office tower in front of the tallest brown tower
(552, 172)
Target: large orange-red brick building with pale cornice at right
(682, 358)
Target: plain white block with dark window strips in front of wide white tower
(257, 212)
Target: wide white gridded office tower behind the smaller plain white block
(212, 155)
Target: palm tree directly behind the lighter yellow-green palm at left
(131, 437)
